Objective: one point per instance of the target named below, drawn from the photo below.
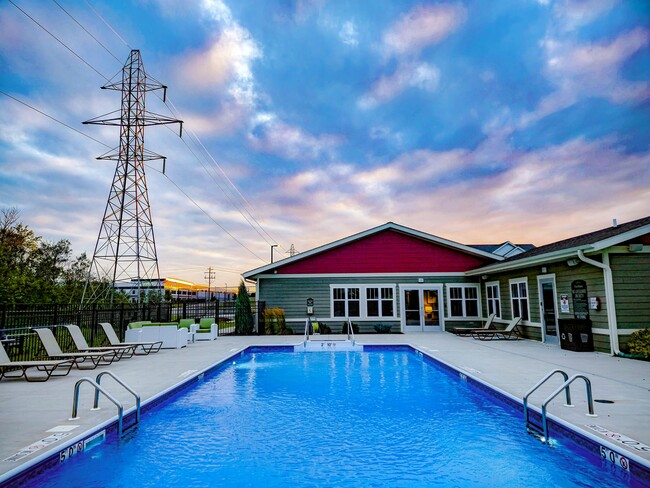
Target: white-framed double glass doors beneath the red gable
(421, 308)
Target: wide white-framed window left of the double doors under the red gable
(363, 301)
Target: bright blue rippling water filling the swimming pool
(331, 419)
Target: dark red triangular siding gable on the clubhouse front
(388, 251)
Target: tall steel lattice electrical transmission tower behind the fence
(126, 249)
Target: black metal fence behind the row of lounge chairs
(22, 344)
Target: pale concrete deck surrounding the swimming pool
(32, 412)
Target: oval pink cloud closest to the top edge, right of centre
(422, 26)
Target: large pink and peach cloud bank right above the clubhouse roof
(567, 188)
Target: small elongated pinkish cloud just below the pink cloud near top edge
(408, 75)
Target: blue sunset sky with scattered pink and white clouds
(306, 121)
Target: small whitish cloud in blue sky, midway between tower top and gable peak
(271, 135)
